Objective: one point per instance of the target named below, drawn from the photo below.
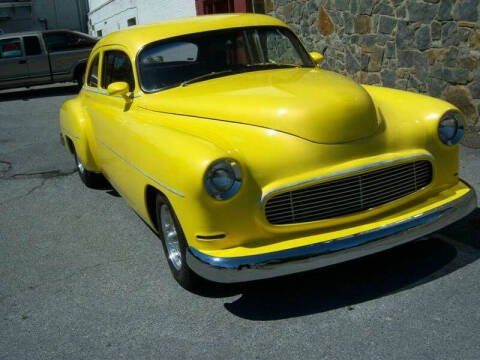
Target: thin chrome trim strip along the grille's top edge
(378, 164)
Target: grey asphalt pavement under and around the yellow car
(82, 277)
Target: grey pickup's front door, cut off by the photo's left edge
(13, 63)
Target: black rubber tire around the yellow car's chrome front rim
(187, 279)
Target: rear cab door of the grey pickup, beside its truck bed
(37, 60)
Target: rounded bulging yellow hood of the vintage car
(313, 104)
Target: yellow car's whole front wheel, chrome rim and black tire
(174, 244)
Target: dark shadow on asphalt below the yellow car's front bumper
(345, 285)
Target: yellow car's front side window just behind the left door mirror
(117, 67)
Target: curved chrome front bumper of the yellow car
(304, 258)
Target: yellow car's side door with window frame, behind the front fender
(109, 114)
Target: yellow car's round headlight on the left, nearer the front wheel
(223, 179)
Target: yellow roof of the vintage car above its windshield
(136, 37)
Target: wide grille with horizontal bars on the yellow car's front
(348, 195)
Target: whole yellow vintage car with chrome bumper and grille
(249, 160)
